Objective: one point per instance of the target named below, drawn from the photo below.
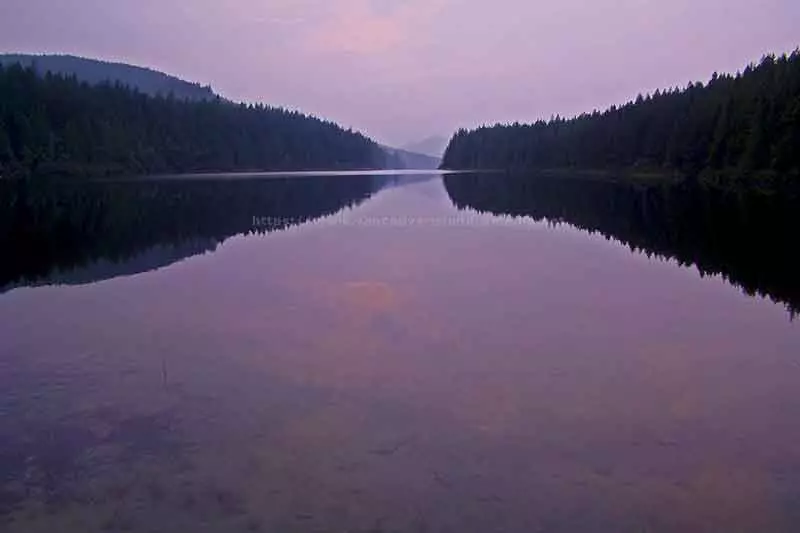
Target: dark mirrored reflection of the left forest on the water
(68, 232)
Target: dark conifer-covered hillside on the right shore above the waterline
(745, 124)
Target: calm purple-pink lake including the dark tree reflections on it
(392, 353)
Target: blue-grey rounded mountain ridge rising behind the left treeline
(95, 72)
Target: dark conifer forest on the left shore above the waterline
(57, 124)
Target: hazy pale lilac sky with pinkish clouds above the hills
(401, 70)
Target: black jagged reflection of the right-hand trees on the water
(747, 237)
